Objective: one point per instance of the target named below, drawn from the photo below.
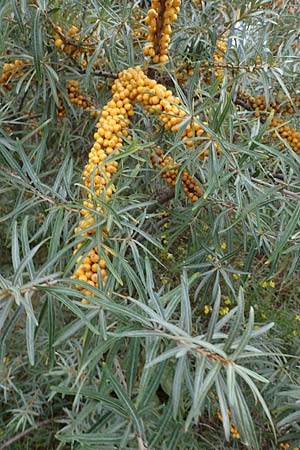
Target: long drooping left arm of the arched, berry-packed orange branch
(97, 175)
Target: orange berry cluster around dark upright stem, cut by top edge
(159, 18)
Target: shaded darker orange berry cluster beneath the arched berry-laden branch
(170, 172)
